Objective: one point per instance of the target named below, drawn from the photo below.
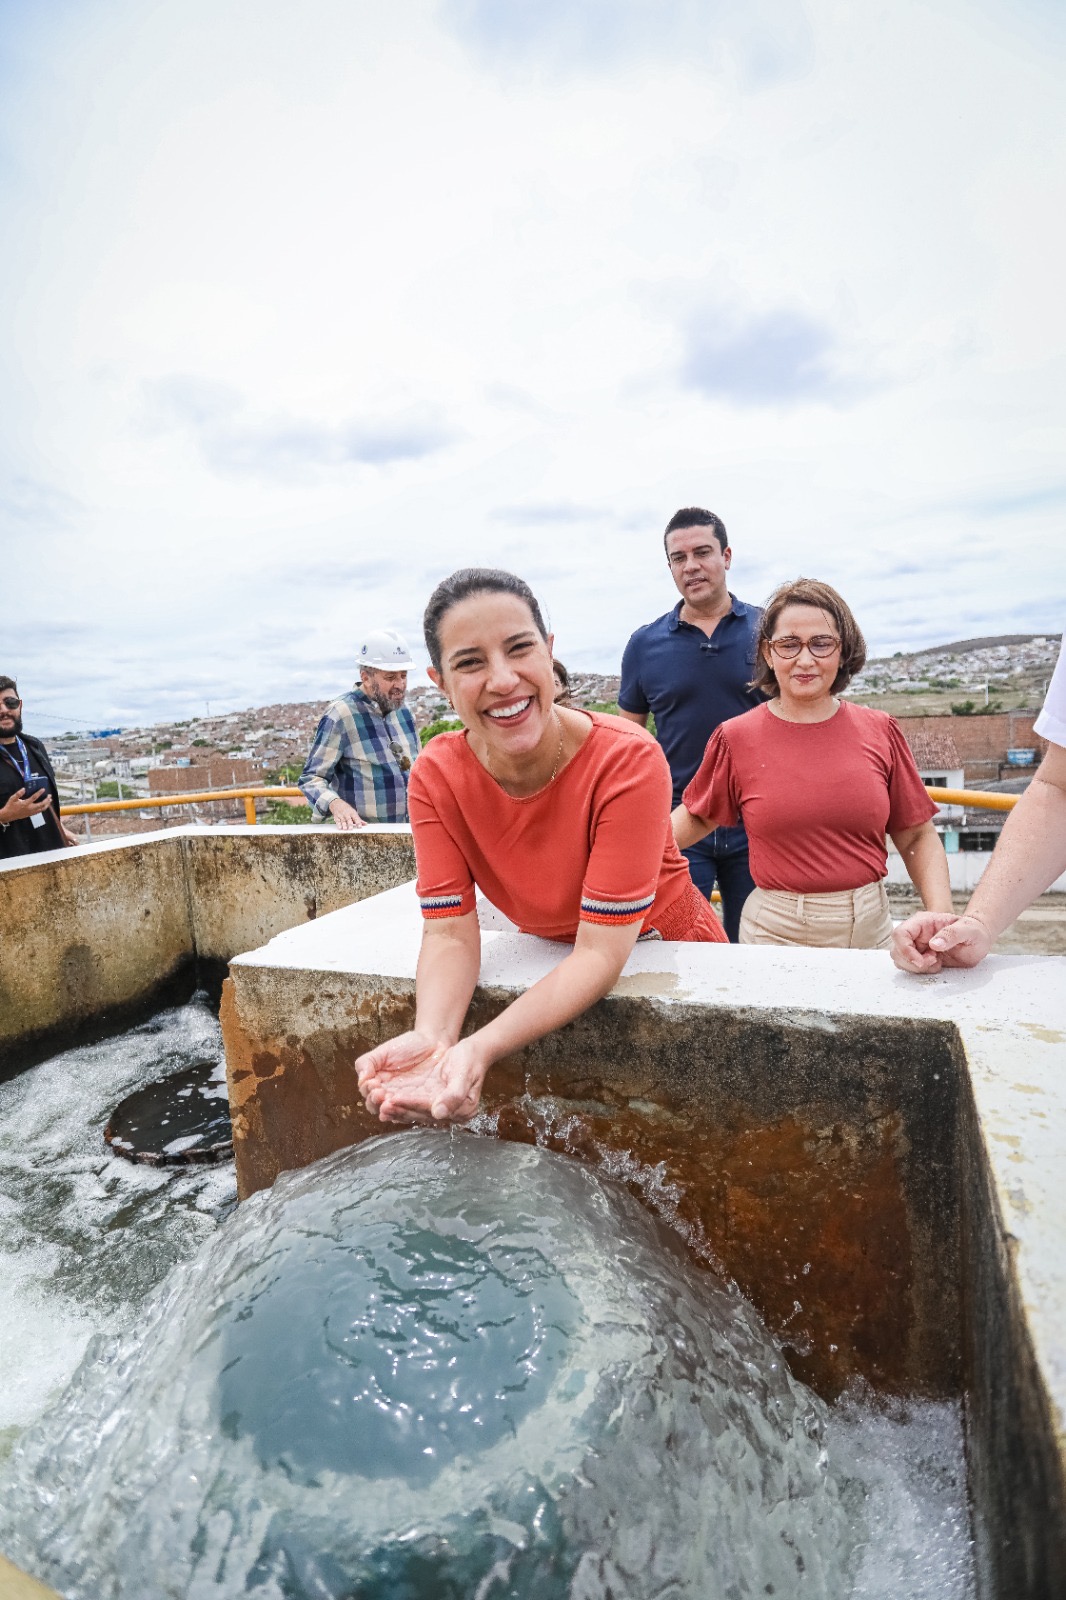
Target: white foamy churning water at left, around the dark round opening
(86, 1236)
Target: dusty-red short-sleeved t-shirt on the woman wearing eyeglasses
(817, 799)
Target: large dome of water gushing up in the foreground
(441, 1366)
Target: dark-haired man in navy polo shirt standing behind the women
(692, 671)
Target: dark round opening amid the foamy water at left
(177, 1121)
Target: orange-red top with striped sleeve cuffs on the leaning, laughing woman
(595, 846)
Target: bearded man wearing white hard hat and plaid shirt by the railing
(366, 743)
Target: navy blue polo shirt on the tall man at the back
(689, 682)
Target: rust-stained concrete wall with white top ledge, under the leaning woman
(878, 1161)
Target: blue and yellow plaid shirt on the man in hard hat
(363, 758)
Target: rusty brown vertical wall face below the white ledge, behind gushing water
(817, 1166)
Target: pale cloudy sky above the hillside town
(307, 306)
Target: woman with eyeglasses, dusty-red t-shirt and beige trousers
(819, 783)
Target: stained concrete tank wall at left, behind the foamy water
(97, 935)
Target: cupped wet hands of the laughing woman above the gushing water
(415, 1079)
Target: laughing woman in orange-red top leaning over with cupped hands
(559, 817)
